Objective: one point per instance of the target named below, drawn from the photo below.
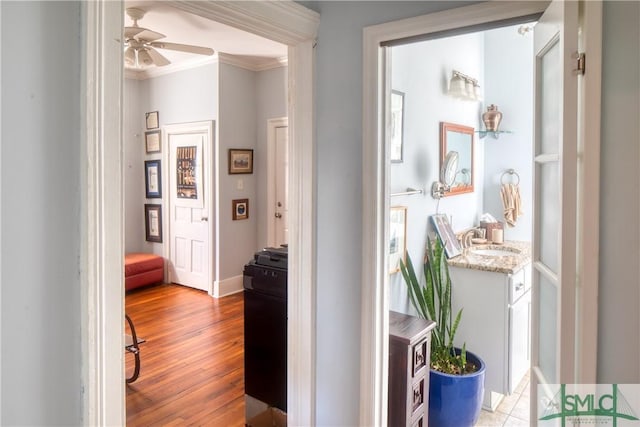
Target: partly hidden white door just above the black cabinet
(278, 140)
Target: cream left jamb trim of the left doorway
(102, 217)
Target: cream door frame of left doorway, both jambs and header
(101, 265)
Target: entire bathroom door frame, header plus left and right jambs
(375, 304)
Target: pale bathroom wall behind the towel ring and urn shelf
(508, 71)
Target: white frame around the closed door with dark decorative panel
(207, 127)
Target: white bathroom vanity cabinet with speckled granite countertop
(492, 284)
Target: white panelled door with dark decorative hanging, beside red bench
(189, 161)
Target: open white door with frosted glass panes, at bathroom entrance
(555, 212)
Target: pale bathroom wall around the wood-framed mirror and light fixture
(422, 71)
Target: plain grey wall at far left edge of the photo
(41, 213)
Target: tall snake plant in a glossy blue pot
(456, 379)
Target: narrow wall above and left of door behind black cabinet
(271, 102)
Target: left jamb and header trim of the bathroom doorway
(374, 320)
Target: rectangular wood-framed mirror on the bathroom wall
(458, 138)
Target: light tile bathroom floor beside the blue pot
(512, 411)
